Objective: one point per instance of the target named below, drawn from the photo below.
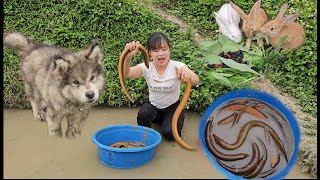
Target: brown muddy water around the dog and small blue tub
(30, 153)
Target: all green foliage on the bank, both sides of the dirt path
(73, 24)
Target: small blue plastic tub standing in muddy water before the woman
(126, 157)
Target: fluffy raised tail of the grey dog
(16, 41)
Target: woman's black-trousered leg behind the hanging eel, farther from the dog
(166, 115)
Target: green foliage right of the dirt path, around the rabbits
(297, 75)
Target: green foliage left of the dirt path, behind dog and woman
(113, 24)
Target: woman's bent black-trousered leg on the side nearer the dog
(147, 114)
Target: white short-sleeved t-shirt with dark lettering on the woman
(164, 90)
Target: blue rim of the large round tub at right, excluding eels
(261, 96)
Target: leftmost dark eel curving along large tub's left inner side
(214, 151)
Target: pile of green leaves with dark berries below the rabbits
(236, 73)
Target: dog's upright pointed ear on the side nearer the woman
(94, 53)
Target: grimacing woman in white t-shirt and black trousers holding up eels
(163, 81)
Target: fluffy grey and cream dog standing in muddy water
(59, 83)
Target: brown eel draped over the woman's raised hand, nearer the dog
(120, 68)
